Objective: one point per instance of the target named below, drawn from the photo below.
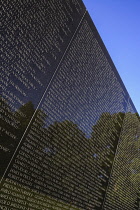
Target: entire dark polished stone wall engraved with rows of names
(66, 108)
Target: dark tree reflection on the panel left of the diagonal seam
(14, 123)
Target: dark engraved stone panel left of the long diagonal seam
(35, 35)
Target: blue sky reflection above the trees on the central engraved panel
(81, 92)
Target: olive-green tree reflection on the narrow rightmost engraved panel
(126, 173)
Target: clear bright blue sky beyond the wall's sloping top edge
(118, 23)
